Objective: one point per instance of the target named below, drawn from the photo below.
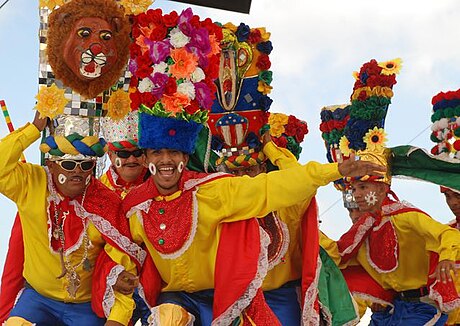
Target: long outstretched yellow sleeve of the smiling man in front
(243, 197)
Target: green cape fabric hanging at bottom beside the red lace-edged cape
(333, 292)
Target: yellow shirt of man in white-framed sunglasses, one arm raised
(26, 185)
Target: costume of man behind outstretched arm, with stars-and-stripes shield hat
(238, 117)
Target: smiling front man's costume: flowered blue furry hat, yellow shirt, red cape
(192, 262)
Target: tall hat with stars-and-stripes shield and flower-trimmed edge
(240, 109)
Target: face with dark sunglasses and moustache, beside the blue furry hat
(129, 163)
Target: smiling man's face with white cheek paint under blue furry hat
(168, 167)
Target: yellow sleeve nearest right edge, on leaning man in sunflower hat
(438, 237)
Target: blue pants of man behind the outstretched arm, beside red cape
(285, 304)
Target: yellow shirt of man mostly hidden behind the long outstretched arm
(291, 267)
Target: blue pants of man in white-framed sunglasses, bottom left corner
(38, 309)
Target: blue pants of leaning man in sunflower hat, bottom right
(407, 313)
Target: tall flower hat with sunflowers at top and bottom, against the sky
(364, 132)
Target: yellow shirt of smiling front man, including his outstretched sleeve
(227, 200)
